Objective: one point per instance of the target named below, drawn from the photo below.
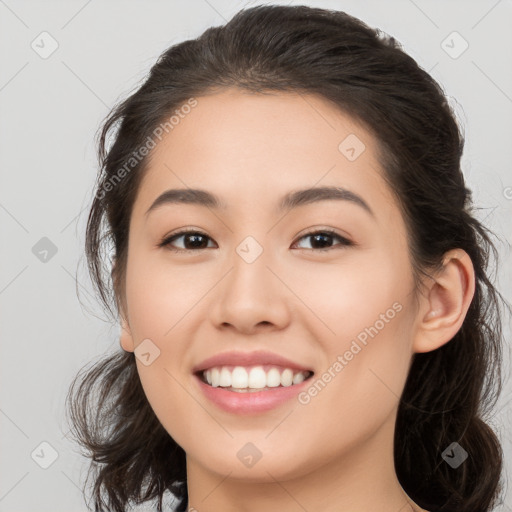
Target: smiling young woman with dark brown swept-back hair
(306, 317)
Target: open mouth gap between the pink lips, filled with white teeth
(251, 379)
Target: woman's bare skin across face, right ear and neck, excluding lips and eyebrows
(335, 452)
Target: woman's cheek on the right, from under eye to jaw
(365, 336)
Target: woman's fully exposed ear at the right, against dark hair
(444, 306)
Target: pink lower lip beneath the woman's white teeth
(251, 401)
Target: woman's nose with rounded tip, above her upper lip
(251, 297)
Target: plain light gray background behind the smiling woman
(50, 110)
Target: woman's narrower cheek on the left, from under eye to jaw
(159, 300)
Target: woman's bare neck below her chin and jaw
(362, 479)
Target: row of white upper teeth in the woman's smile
(254, 378)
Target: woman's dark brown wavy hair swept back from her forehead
(365, 74)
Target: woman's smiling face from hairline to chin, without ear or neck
(321, 290)
